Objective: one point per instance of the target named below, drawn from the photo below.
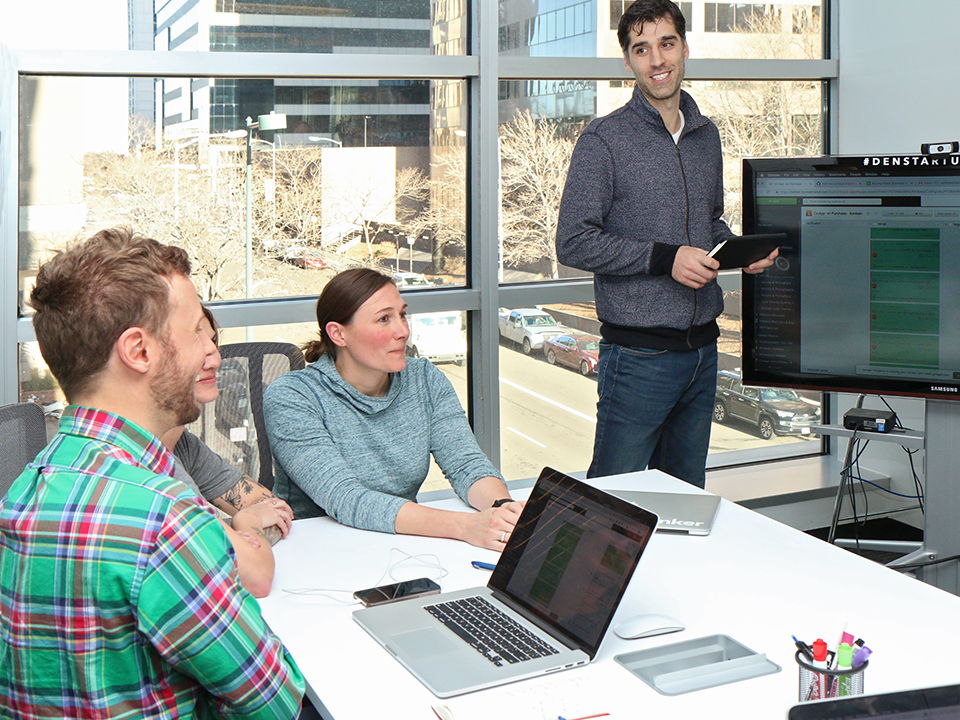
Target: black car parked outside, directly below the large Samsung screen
(774, 411)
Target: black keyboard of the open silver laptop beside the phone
(489, 631)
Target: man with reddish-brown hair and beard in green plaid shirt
(119, 593)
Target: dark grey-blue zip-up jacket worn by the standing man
(632, 196)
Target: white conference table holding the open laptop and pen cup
(752, 578)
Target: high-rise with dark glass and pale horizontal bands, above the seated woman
(351, 112)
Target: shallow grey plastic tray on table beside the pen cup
(698, 664)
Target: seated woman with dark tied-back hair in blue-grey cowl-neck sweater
(353, 432)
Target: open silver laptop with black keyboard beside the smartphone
(561, 577)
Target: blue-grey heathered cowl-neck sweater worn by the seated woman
(360, 458)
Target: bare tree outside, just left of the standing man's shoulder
(534, 157)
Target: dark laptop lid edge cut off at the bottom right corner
(934, 703)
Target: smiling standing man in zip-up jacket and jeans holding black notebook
(641, 209)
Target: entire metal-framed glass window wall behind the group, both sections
(426, 138)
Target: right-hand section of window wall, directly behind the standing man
(549, 413)
